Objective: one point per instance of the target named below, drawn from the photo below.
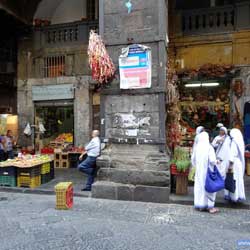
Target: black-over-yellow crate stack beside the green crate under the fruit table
(29, 177)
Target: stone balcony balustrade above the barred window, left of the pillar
(64, 34)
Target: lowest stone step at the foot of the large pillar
(129, 192)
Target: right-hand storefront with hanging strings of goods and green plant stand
(202, 97)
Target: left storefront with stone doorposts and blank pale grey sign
(56, 113)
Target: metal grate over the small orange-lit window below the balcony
(54, 66)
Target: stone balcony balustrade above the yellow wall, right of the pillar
(214, 20)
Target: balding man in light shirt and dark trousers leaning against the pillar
(88, 166)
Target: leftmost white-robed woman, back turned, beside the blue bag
(203, 158)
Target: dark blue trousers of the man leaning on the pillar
(88, 167)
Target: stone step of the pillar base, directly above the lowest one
(135, 176)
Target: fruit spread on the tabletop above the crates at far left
(26, 161)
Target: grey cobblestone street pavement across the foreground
(30, 222)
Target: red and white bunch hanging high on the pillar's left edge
(103, 69)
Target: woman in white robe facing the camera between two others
(221, 144)
